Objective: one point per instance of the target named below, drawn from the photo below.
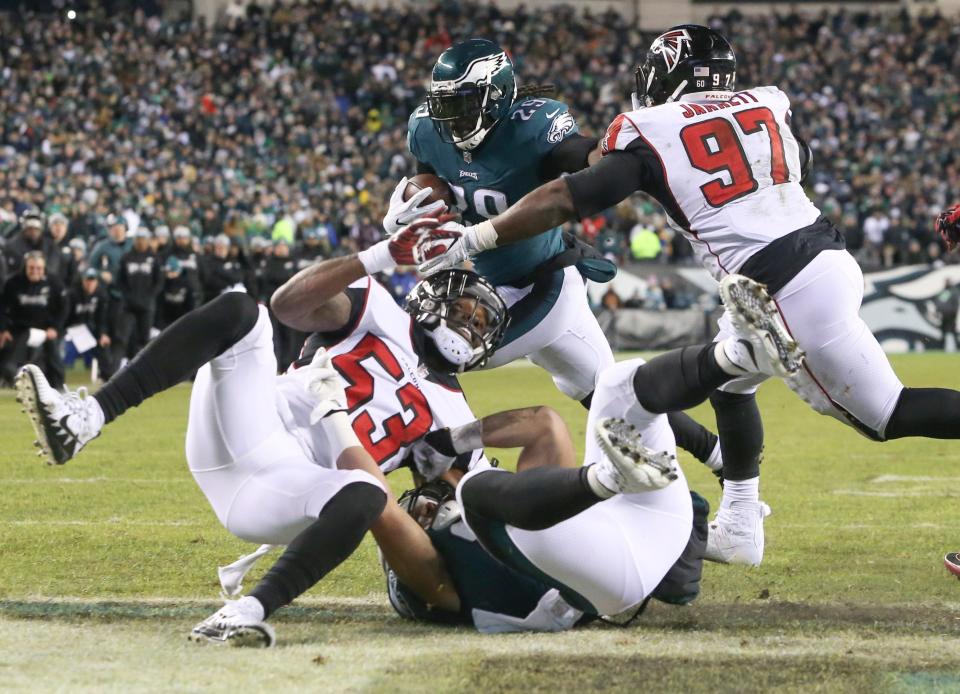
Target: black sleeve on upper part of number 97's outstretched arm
(614, 178)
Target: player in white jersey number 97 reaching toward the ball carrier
(726, 166)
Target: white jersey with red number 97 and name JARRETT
(730, 168)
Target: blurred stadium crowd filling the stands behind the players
(144, 158)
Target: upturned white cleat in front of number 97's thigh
(755, 315)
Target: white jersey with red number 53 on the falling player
(392, 399)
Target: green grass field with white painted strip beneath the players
(107, 562)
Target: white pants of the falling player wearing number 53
(260, 481)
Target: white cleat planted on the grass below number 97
(735, 535)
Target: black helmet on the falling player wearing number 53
(463, 315)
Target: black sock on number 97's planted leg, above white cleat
(741, 434)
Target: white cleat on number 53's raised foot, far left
(64, 422)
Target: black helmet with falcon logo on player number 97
(685, 59)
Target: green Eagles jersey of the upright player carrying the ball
(497, 174)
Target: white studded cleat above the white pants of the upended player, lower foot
(629, 466)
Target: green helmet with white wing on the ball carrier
(471, 89)
